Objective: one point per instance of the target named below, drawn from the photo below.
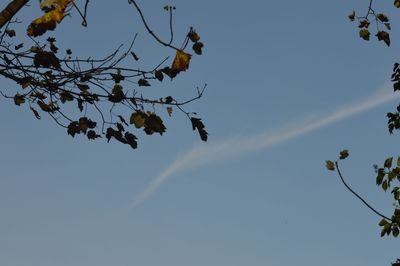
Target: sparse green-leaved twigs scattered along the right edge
(387, 175)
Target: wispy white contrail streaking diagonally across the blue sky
(243, 145)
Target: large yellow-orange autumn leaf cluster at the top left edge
(55, 12)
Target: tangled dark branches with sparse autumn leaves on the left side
(50, 78)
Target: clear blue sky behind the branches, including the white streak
(289, 85)
